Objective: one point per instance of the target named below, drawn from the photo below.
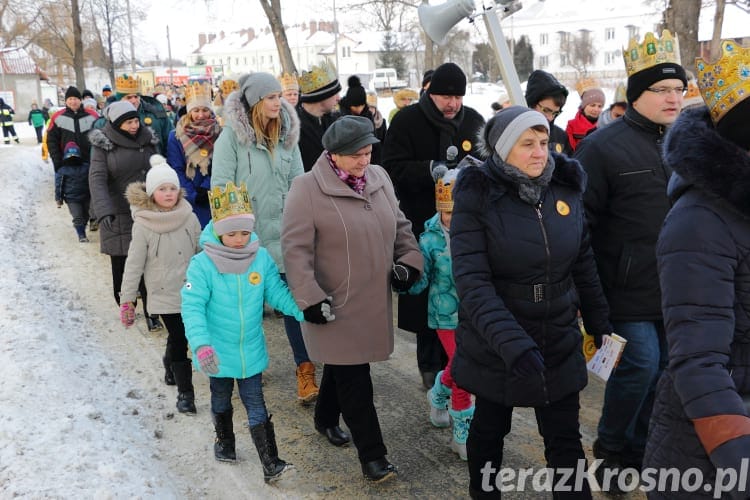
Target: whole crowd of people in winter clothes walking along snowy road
(496, 237)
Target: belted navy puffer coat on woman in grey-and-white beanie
(501, 246)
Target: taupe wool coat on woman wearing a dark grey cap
(341, 244)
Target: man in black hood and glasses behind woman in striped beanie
(547, 95)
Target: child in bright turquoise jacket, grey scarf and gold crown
(222, 306)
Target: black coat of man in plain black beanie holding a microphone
(418, 134)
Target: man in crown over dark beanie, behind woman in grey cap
(319, 94)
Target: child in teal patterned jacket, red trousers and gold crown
(442, 311)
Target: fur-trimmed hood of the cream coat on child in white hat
(146, 212)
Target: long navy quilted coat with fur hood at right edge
(704, 268)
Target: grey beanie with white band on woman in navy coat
(504, 129)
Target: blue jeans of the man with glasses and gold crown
(629, 395)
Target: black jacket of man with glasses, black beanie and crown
(626, 202)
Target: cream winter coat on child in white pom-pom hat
(161, 248)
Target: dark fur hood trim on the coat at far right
(702, 158)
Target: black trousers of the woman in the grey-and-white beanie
(559, 427)
